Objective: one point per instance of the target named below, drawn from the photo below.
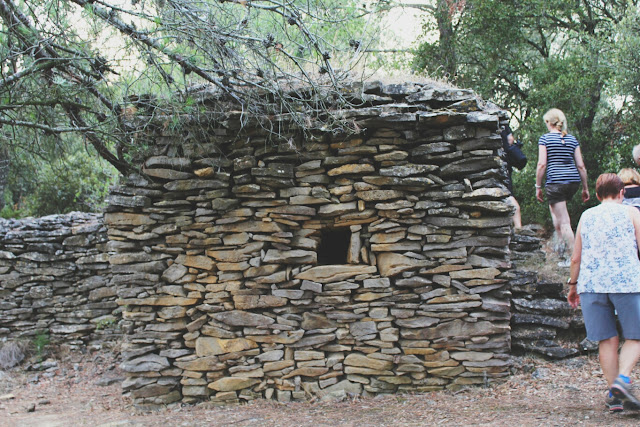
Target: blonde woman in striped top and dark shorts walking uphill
(560, 157)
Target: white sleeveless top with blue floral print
(609, 251)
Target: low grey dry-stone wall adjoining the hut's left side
(55, 280)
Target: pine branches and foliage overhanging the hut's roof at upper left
(71, 69)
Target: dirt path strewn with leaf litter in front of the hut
(561, 393)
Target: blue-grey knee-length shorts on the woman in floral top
(599, 311)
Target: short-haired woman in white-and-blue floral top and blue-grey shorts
(605, 280)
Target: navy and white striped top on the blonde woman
(561, 166)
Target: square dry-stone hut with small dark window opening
(318, 264)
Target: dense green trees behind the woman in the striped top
(530, 56)
